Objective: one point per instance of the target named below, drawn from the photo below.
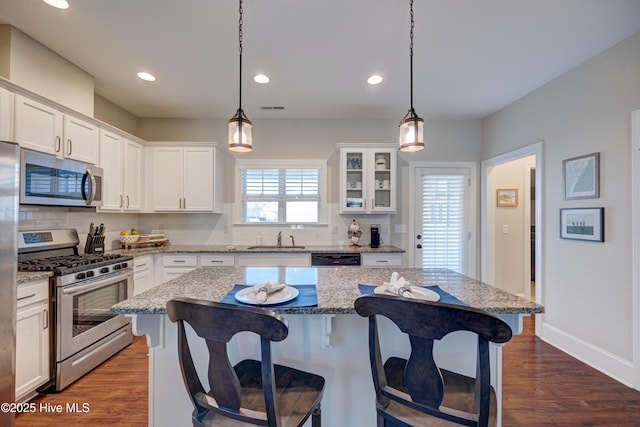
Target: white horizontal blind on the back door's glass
(445, 221)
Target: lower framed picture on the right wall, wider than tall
(582, 224)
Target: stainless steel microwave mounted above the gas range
(49, 180)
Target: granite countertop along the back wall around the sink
(244, 249)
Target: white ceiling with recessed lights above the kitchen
(471, 57)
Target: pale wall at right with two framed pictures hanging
(587, 285)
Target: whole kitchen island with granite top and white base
(328, 339)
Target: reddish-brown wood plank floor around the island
(542, 386)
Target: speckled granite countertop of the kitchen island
(337, 289)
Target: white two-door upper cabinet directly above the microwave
(45, 129)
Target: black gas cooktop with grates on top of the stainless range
(68, 263)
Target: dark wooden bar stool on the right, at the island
(416, 392)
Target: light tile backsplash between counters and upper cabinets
(201, 228)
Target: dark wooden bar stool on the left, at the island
(251, 392)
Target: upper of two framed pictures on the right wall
(581, 177)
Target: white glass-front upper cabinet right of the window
(368, 180)
